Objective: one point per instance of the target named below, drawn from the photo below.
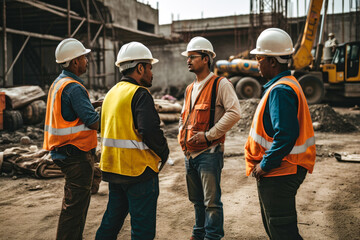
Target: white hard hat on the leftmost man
(69, 49)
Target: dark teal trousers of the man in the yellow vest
(140, 200)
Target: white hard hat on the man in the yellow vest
(133, 53)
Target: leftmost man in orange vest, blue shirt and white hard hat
(70, 134)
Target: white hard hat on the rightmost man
(273, 42)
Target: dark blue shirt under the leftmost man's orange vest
(75, 103)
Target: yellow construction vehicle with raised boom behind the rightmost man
(338, 79)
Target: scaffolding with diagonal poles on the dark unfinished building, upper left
(36, 27)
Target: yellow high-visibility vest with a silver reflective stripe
(122, 149)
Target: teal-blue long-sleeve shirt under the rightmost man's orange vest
(280, 122)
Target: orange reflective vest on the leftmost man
(59, 132)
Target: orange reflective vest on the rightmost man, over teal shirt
(303, 152)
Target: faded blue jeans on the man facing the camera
(203, 175)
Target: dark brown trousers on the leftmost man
(78, 171)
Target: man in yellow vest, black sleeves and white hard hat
(132, 147)
